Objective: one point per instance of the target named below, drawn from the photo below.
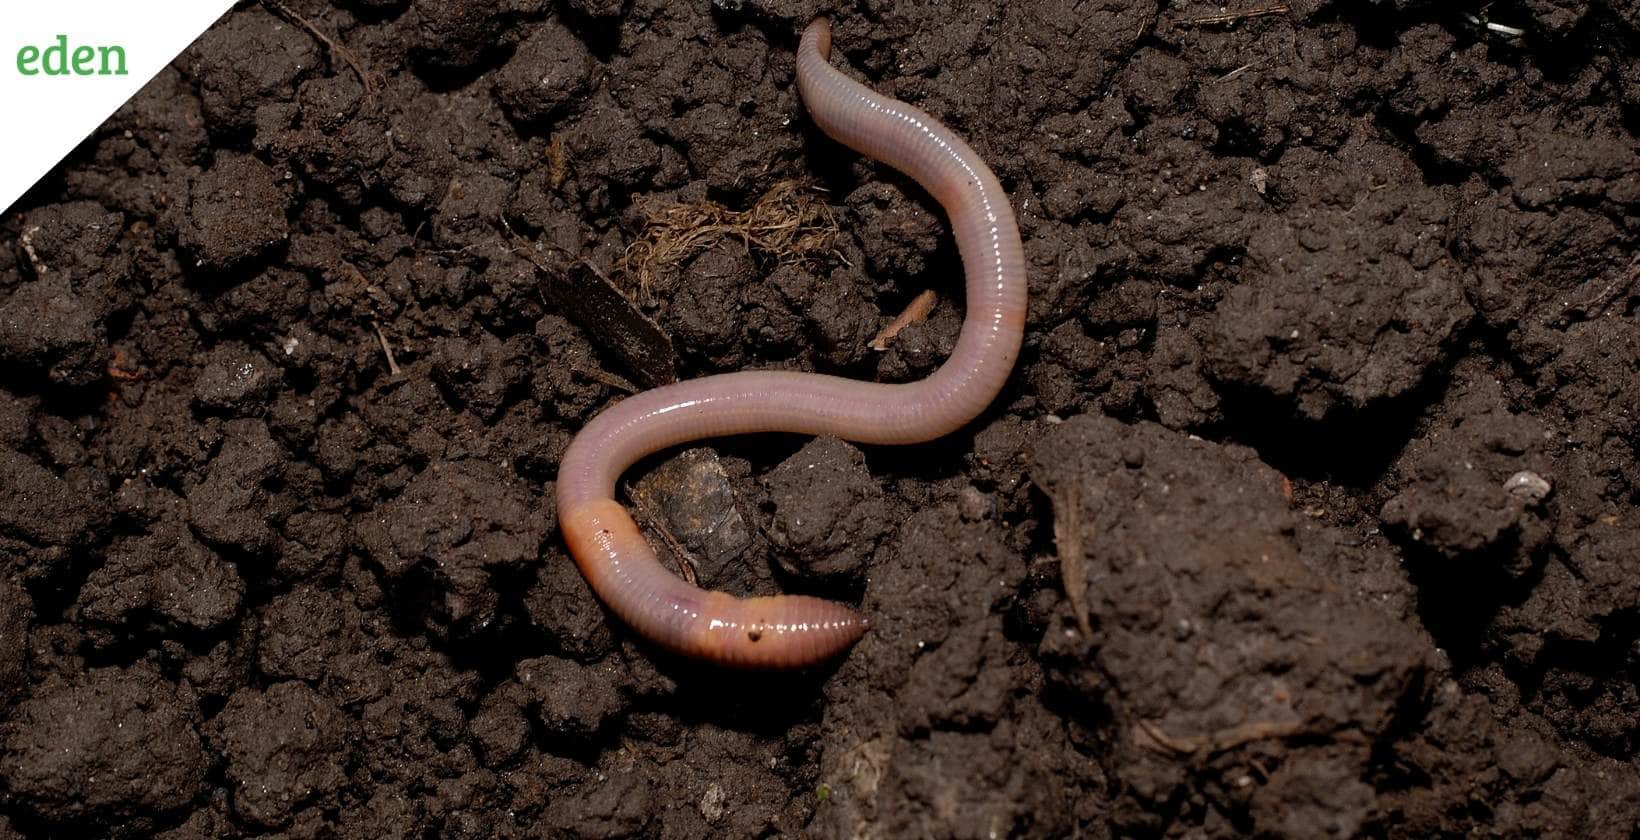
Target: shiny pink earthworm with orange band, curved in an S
(796, 631)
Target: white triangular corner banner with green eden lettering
(68, 65)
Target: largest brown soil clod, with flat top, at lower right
(1187, 546)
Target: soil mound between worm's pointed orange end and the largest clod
(977, 754)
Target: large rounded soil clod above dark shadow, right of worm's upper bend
(1336, 311)
